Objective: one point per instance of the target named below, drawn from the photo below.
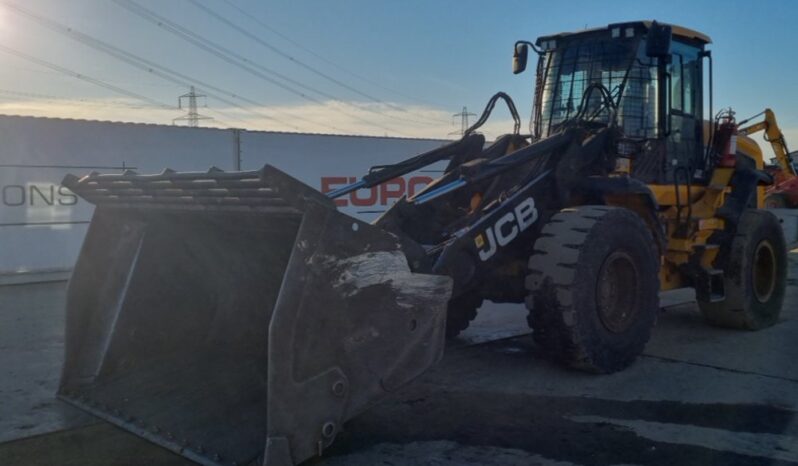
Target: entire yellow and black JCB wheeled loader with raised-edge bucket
(238, 318)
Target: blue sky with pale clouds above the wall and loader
(422, 60)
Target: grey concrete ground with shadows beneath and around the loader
(698, 396)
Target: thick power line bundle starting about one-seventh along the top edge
(232, 57)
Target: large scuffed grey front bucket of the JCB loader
(238, 318)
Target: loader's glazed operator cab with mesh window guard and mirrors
(644, 76)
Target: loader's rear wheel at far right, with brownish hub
(755, 276)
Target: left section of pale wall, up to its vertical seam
(42, 224)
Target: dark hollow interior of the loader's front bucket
(167, 326)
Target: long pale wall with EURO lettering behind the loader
(42, 224)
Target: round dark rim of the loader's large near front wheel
(616, 292)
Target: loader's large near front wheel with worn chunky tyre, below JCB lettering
(593, 287)
